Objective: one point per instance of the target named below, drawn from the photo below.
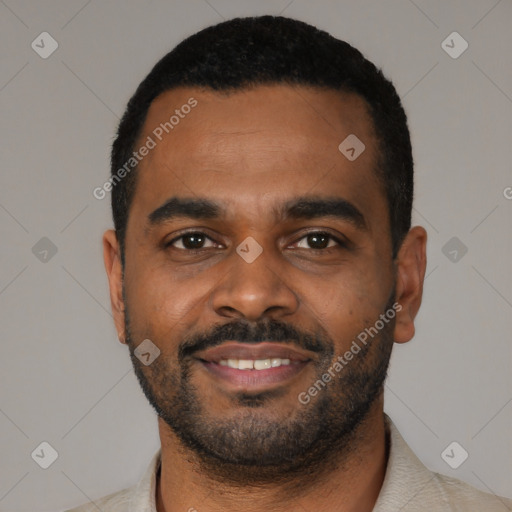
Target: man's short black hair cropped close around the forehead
(245, 52)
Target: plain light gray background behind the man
(66, 380)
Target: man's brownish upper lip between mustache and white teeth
(261, 350)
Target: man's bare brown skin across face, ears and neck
(252, 151)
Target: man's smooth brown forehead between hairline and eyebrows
(253, 148)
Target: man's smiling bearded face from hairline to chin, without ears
(196, 285)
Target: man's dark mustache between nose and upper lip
(245, 332)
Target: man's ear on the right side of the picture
(411, 264)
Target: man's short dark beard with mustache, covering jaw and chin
(255, 444)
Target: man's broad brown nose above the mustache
(254, 289)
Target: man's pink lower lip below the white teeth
(255, 379)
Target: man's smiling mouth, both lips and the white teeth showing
(254, 367)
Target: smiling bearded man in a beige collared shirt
(261, 267)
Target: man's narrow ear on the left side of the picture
(113, 266)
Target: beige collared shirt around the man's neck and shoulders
(408, 487)
